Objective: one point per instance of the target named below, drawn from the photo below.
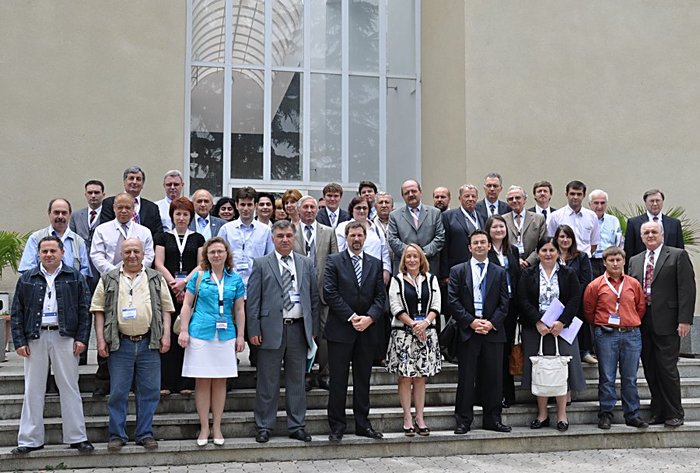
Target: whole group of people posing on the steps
(318, 285)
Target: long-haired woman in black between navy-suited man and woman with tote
(507, 256)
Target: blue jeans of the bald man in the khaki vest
(132, 361)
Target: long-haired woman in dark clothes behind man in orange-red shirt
(569, 255)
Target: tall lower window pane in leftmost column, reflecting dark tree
(206, 128)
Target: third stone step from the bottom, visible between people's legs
(243, 400)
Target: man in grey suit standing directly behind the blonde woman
(416, 223)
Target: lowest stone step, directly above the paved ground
(439, 443)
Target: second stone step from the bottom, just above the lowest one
(237, 425)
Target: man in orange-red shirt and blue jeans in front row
(614, 303)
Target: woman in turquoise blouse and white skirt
(209, 336)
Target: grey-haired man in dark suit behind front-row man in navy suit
(459, 223)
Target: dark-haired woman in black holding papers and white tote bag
(538, 287)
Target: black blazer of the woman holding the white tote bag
(529, 295)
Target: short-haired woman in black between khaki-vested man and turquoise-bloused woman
(178, 254)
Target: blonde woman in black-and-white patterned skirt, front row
(414, 352)
